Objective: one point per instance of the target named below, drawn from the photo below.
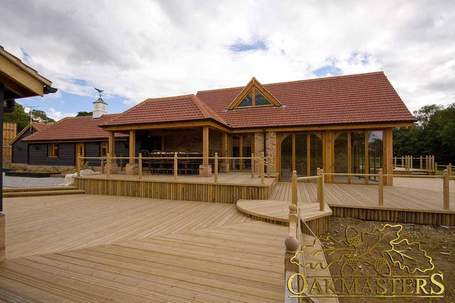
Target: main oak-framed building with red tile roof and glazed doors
(341, 124)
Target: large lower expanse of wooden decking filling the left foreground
(87, 248)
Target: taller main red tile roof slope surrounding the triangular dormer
(362, 98)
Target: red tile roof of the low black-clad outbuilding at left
(73, 129)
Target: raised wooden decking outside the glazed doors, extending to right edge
(407, 201)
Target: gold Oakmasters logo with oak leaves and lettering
(378, 263)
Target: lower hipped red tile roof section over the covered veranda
(168, 109)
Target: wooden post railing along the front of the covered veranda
(107, 163)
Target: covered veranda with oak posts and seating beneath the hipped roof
(197, 146)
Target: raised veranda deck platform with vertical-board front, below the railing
(229, 188)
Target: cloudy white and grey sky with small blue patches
(141, 49)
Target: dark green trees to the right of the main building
(434, 134)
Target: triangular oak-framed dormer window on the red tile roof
(254, 95)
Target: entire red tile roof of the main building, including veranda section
(362, 98)
